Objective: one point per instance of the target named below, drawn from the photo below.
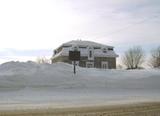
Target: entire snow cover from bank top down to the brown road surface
(31, 84)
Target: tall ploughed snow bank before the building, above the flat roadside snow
(60, 75)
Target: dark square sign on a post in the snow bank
(74, 56)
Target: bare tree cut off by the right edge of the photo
(155, 58)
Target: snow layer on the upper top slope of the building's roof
(85, 43)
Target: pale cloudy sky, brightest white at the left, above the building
(34, 28)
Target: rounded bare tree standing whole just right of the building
(133, 58)
